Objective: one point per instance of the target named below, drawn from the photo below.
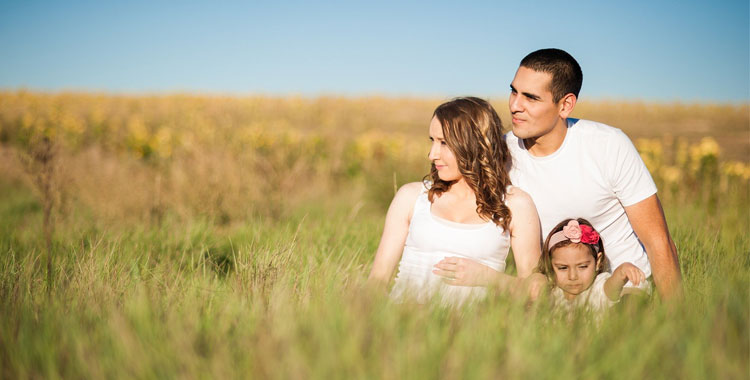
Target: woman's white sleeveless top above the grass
(432, 239)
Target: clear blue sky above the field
(651, 50)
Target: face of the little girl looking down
(575, 269)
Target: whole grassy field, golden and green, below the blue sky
(230, 237)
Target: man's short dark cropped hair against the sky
(567, 76)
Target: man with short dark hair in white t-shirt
(579, 168)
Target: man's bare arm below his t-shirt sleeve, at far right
(649, 223)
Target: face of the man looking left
(531, 104)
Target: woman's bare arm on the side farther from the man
(394, 234)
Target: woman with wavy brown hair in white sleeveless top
(467, 213)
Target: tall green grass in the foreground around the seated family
(284, 298)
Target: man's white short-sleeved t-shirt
(594, 174)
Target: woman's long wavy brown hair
(474, 133)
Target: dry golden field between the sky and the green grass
(139, 157)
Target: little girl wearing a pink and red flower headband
(573, 260)
